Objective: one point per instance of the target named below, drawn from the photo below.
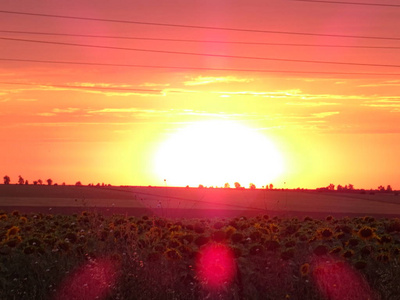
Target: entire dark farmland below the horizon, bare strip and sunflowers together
(69, 242)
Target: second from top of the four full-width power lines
(198, 41)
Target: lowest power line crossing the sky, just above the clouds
(196, 68)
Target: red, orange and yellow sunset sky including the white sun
(293, 93)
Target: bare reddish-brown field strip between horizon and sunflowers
(195, 202)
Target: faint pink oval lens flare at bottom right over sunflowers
(337, 280)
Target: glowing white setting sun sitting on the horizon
(212, 153)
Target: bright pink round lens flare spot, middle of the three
(215, 266)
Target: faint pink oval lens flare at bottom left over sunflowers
(91, 281)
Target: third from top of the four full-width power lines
(206, 54)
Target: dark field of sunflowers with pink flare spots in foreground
(92, 256)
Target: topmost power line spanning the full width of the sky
(198, 26)
